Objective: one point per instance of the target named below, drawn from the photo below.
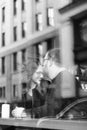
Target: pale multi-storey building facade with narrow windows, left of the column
(26, 26)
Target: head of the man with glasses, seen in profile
(52, 62)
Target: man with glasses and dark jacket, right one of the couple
(63, 85)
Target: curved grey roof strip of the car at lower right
(70, 106)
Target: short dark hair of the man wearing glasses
(54, 54)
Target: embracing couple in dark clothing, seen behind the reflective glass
(51, 83)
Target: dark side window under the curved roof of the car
(78, 111)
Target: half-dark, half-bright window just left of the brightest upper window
(39, 25)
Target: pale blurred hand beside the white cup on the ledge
(19, 112)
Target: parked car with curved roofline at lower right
(74, 111)
